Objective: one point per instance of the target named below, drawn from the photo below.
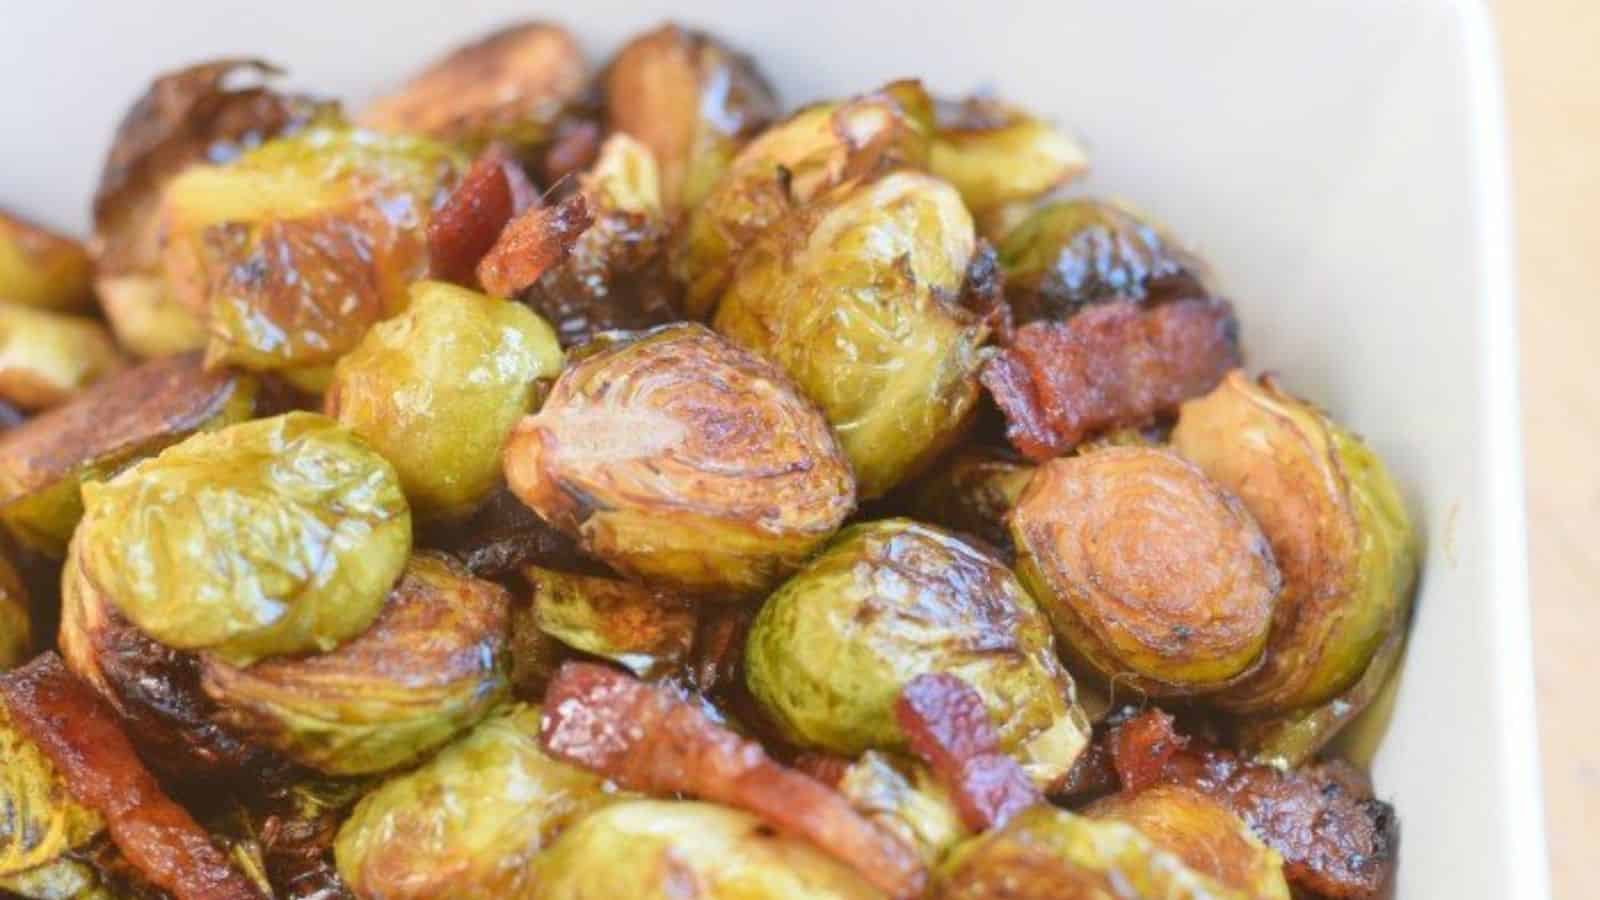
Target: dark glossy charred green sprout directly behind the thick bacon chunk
(1071, 254)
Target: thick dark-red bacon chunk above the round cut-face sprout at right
(1114, 366)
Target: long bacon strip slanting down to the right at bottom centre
(646, 739)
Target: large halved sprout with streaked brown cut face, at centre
(684, 460)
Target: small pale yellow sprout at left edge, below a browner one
(46, 358)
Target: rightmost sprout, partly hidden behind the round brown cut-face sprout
(1337, 524)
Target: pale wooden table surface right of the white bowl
(1553, 87)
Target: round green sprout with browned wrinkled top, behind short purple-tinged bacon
(889, 601)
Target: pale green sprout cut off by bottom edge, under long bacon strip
(671, 850)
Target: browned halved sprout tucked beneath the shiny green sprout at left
(430, 667)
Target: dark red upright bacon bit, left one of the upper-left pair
(466, 228)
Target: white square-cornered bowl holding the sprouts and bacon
(1342, 164)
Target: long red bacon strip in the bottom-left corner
(79, 734)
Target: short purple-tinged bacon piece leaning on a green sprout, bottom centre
(950, 728)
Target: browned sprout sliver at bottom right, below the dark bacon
(1204, 834)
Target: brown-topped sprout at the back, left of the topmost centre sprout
(513, 86)
